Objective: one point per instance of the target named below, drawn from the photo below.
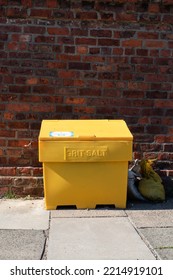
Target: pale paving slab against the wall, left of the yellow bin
(23, 214)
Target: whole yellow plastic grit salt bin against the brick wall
(85, 162)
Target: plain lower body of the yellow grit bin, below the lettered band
(85, 185)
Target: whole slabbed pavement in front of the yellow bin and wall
(142, 231)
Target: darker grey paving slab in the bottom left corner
(21, 244)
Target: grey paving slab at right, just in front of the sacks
(151, 218)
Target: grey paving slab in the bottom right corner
(161, 239)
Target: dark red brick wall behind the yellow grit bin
(63, 59)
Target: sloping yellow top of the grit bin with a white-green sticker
(54, 130)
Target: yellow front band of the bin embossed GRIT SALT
(85, 151)
